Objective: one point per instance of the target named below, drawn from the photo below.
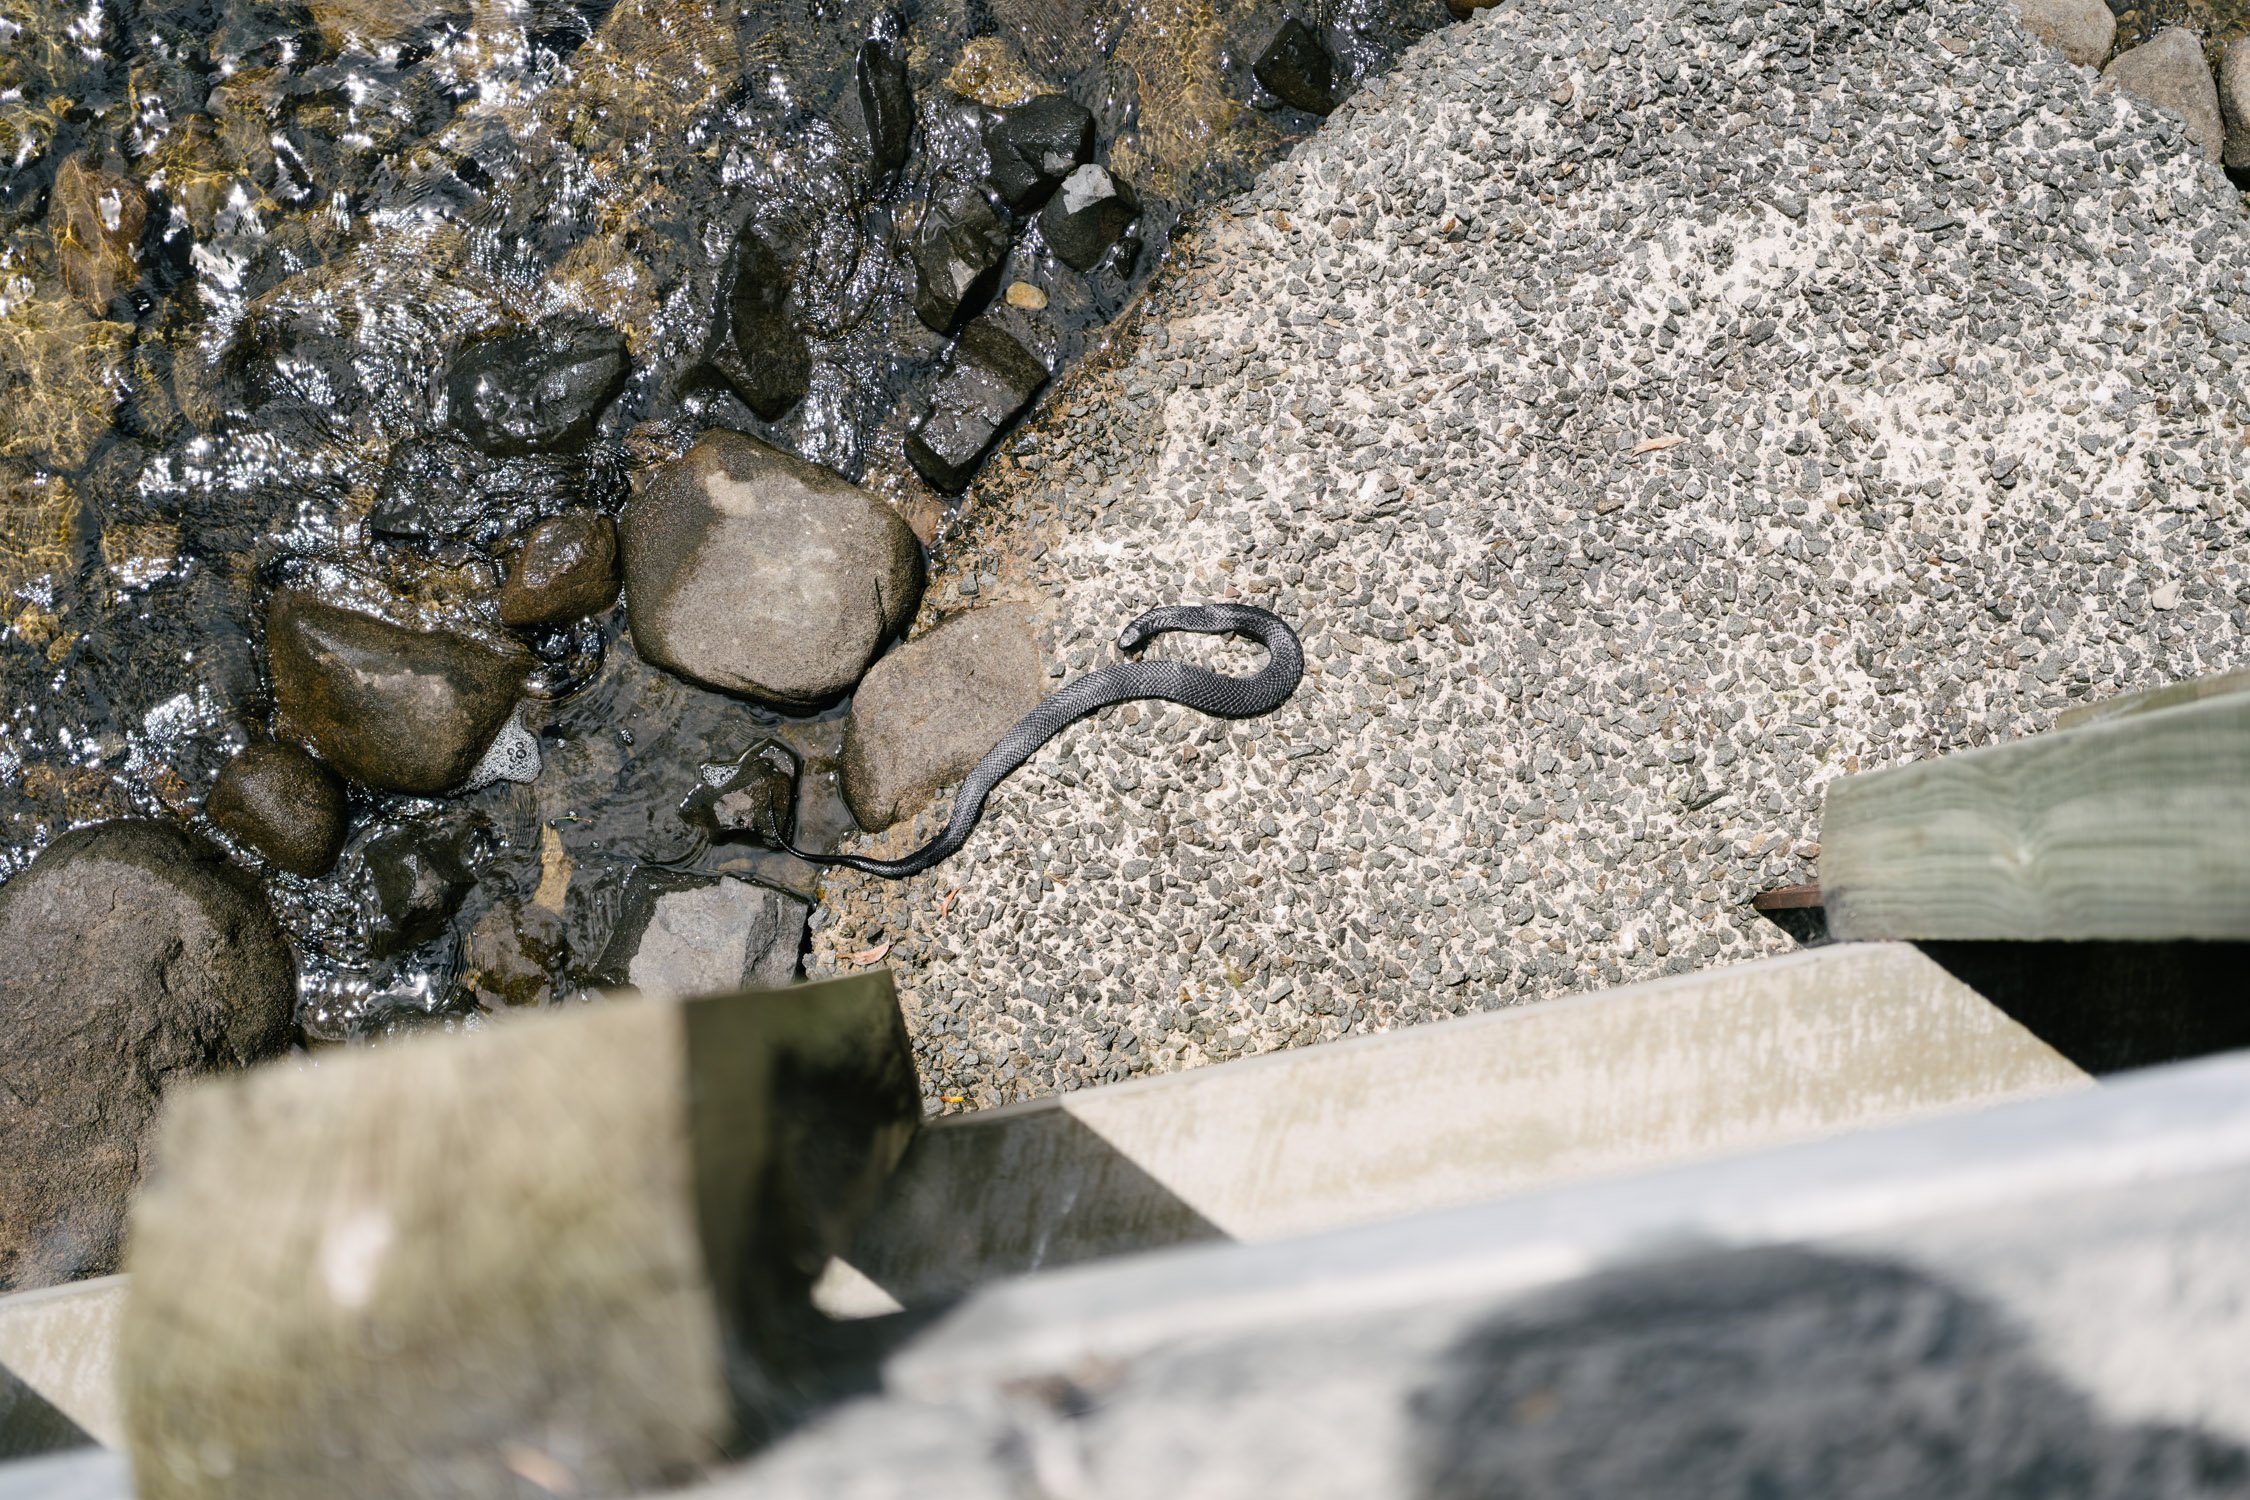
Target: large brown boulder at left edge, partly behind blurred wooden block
(132, 955)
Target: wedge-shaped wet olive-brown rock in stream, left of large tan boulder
(388, 707)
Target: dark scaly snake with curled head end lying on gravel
(1176, 683)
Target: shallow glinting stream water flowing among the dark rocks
(242, 244)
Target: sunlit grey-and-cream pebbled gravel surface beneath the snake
(1646, 419)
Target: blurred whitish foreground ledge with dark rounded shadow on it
(1968, 1305)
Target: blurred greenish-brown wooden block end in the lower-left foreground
(550, 1256)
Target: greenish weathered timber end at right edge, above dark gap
(2130, 829)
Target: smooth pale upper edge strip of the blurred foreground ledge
(2166, 1123)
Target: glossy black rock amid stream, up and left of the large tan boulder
(537, 392)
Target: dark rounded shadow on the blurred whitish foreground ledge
(1783, 1375)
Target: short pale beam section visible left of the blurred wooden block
(57, 1355)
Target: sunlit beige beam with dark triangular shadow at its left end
(1443, 1114)
